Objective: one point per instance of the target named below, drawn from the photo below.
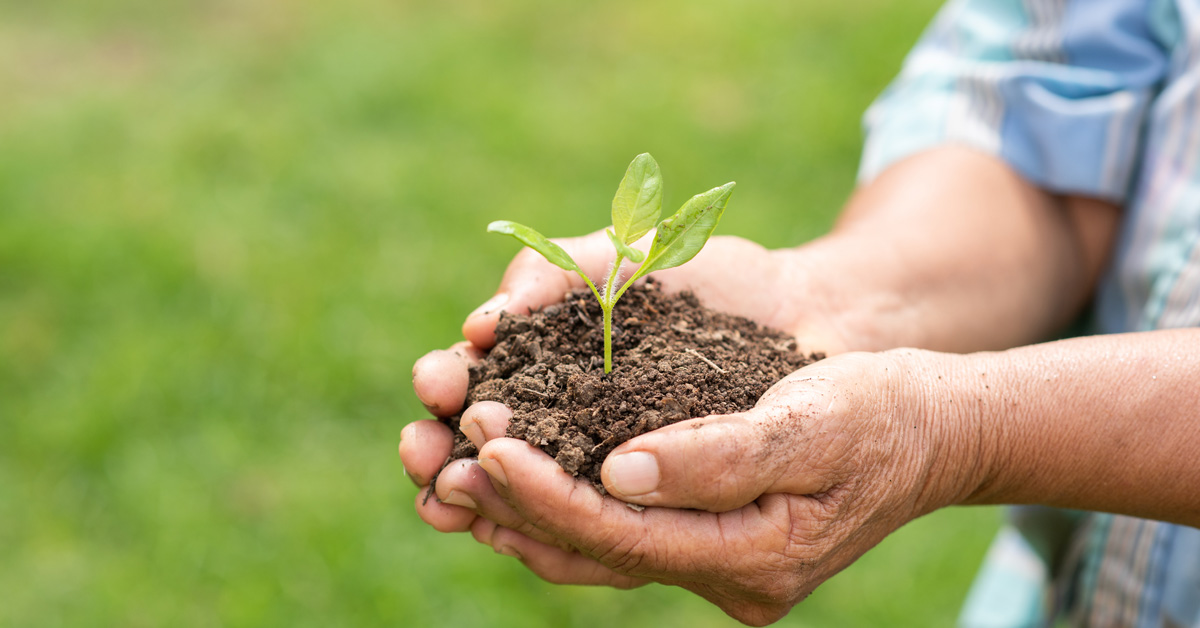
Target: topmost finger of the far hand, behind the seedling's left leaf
(532, 283)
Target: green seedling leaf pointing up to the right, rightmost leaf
(681, 237)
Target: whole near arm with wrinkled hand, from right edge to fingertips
(859, 446)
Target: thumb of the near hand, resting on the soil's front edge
(715, 464)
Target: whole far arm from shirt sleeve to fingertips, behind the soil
(947, 250)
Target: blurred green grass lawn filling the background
(229, 229)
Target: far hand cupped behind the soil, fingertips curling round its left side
(730, 274)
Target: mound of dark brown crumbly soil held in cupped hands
(673, 361)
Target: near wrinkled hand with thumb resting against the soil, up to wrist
(833, 459)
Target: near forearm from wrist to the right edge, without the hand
(1102, 423)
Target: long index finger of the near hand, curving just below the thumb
(656, 543)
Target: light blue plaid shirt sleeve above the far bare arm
(1059, 89)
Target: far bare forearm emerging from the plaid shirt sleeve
(951, 250)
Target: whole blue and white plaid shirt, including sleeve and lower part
(1093, 98)
